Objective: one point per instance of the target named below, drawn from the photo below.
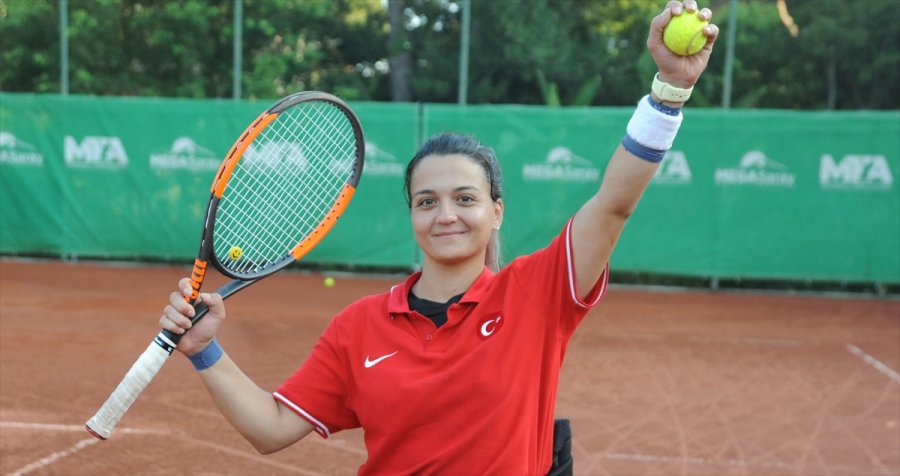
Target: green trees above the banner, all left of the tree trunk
(184, 48)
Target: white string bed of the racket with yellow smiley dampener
(285, 185)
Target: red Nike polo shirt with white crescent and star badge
(475, 396)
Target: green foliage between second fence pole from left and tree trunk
(293, 46)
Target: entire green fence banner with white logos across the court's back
(742, 194)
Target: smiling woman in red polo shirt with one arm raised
(455, 370)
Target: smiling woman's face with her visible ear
(453, 215)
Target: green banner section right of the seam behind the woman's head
(742, 194)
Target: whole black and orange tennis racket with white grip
(279, 191)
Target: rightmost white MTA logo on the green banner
(867, 172)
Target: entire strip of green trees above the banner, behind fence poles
(558, 52)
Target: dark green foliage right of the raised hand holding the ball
(851, 50)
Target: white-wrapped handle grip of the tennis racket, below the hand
(135, 381)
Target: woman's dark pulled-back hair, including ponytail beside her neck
(451, 144)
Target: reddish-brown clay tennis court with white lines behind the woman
(656, 382)
